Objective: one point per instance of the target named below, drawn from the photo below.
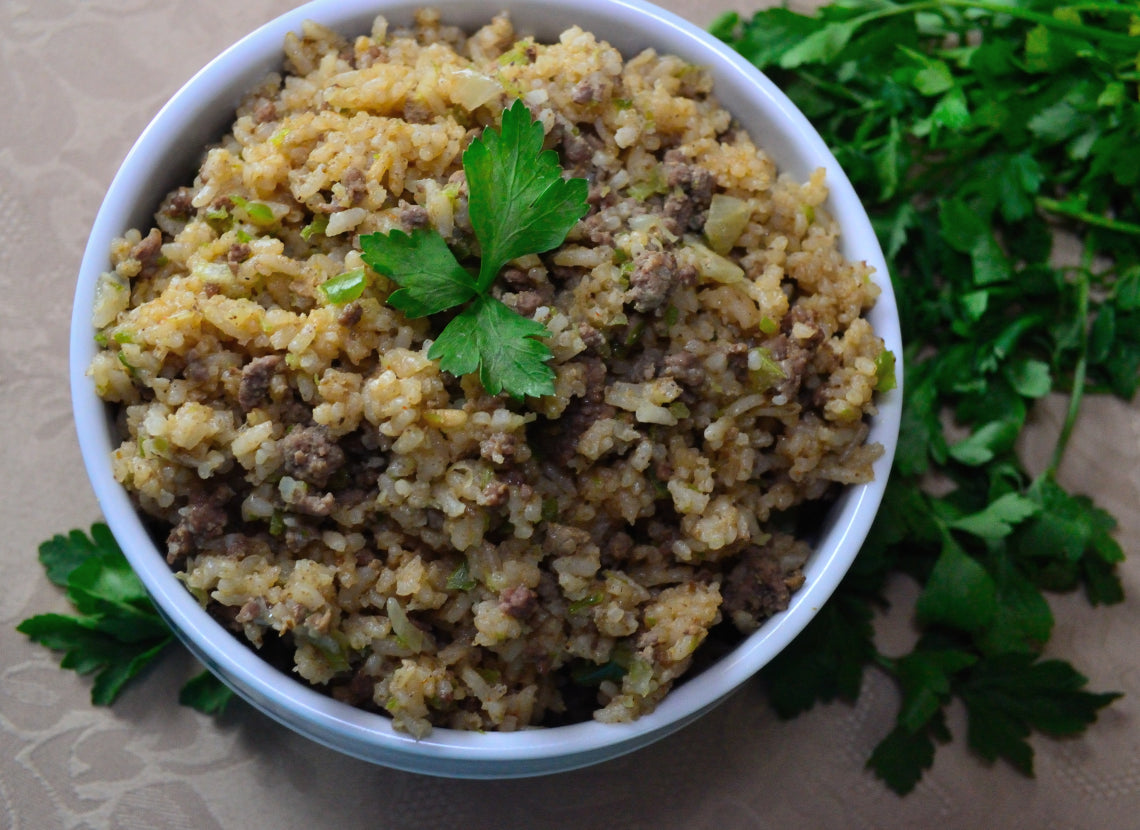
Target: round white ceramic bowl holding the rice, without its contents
(166, 156)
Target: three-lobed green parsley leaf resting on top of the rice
(519, 205)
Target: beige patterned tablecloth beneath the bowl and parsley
(79, 79)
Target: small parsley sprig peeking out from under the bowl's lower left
(117, 632)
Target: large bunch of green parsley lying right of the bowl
(978, 134)
